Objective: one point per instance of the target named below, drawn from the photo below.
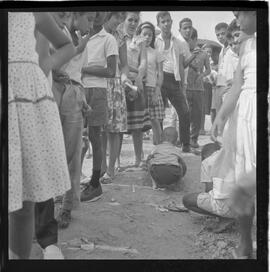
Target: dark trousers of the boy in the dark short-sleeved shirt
(195, 101)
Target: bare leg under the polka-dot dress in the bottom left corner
(21, 230)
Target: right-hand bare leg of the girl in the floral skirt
(114, 143)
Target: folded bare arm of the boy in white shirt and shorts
(99, 71)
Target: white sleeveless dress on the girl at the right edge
(238, 155)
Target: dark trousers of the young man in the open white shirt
(171, 90)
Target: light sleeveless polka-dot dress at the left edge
(37, 160)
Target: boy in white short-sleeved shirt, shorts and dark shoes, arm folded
(102, 51)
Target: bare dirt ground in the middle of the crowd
(130, 222)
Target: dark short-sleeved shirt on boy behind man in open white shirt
(193, 83)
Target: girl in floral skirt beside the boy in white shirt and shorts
(117, 108)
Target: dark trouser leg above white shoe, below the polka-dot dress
(45, 223)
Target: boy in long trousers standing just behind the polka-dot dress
(70, 95)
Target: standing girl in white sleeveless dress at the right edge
(241, 105)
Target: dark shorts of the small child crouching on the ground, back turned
(165, 175)
